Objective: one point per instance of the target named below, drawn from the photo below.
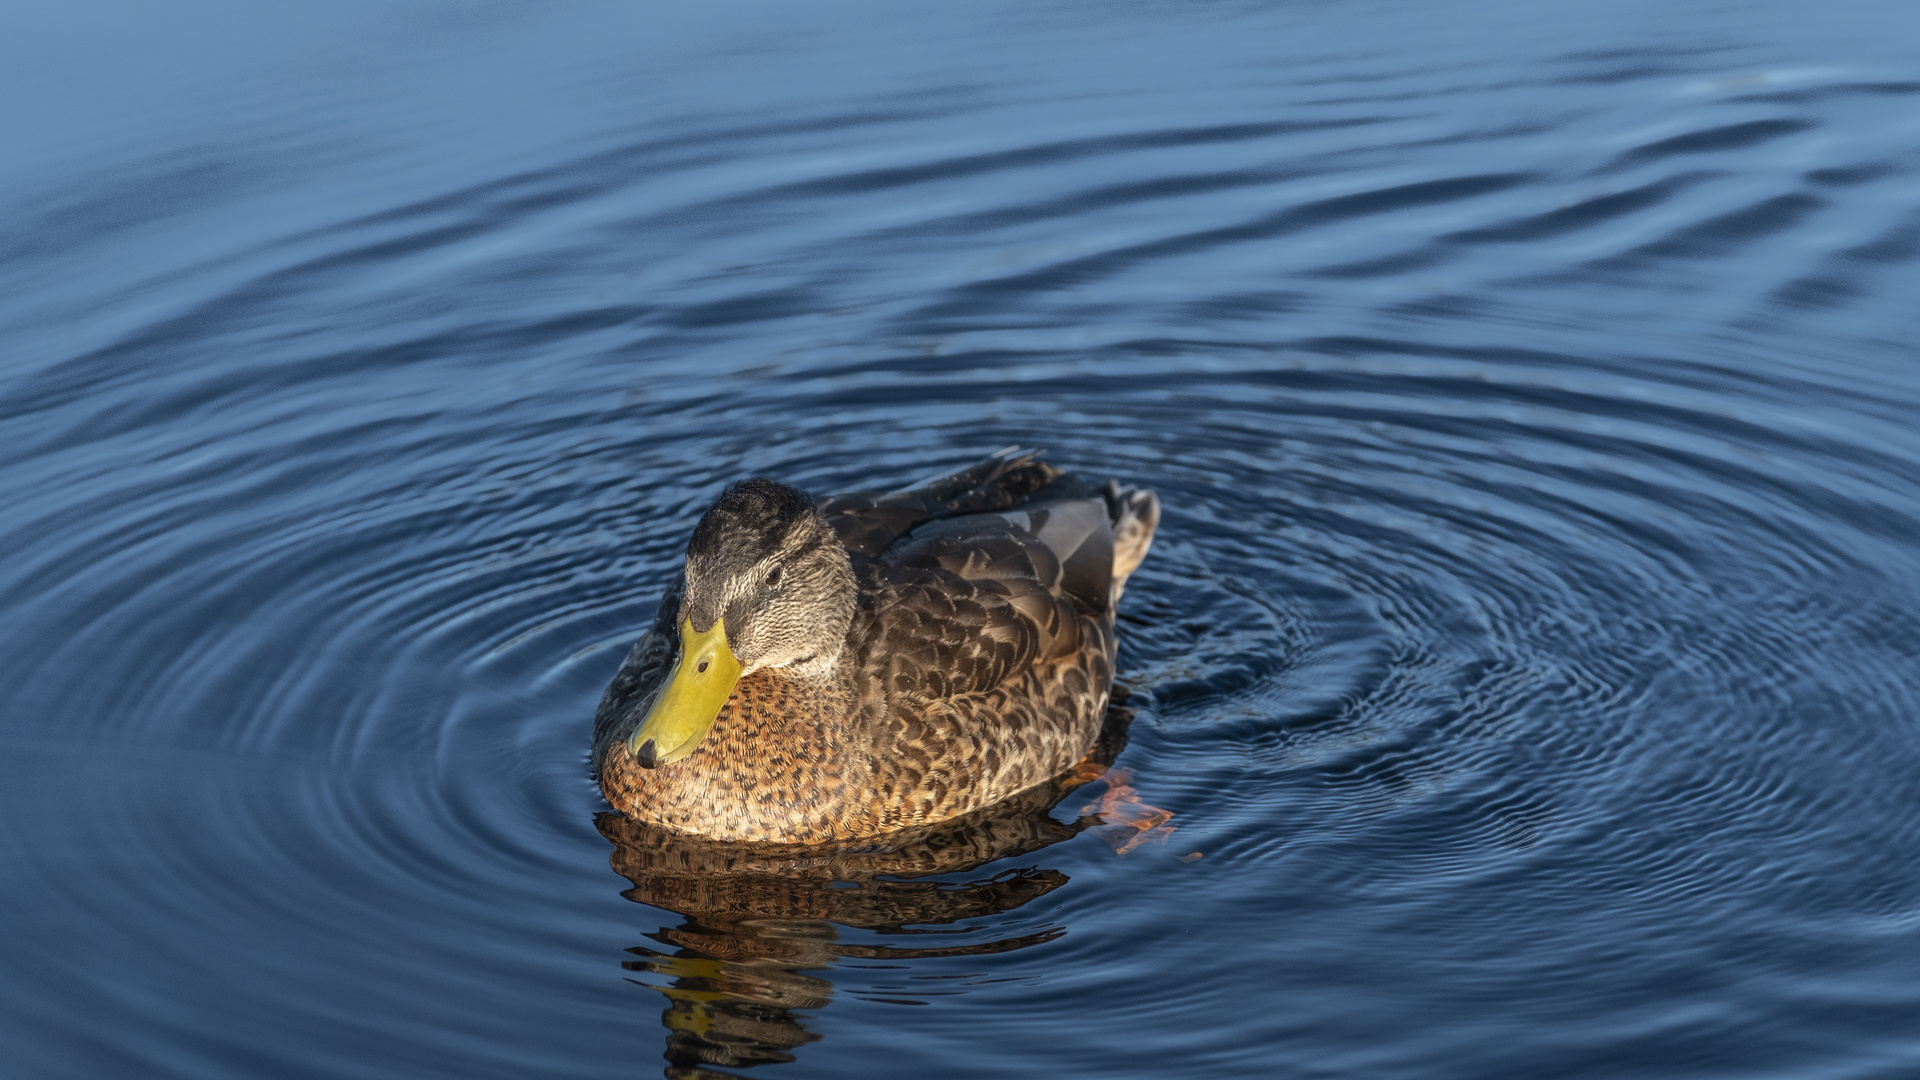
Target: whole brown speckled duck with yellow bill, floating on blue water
(863, 664)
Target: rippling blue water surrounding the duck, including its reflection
(1529, 650)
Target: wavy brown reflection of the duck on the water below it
(757, 920)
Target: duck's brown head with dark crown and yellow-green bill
(769, 585)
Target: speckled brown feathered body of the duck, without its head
(976, 666)
